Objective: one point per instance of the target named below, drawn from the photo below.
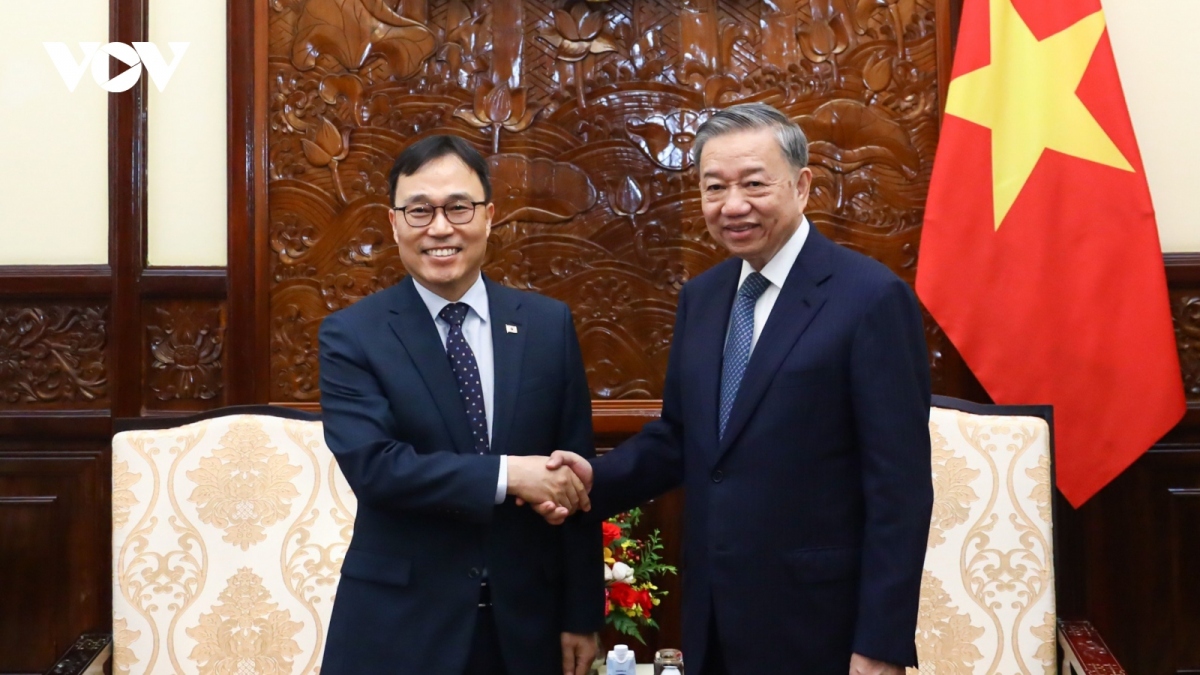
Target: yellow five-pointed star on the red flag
(1028, 98)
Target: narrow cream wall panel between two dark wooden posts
(188, 170)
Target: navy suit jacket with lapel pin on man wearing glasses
(428, 525)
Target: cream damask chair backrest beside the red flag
(988, 595)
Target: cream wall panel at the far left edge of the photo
(55, 178)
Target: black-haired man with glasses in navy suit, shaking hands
(439, 395)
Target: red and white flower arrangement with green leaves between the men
(631, 566)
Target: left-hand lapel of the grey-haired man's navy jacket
(711, 324)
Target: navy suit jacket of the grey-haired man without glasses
(806, 527)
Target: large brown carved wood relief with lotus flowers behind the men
(587, 111)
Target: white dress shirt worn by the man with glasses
(478, 333)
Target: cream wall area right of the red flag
(1160, 70)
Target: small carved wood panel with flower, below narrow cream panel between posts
(185, 345)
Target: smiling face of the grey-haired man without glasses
(752, 198)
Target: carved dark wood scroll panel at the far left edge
(53, 357)
